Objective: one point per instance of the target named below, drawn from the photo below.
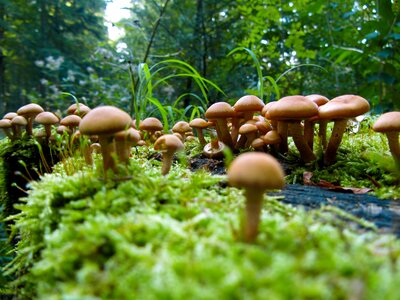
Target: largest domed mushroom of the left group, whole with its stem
(105, 121)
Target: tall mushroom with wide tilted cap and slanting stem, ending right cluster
(340, 109)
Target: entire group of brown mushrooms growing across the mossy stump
(249, 123)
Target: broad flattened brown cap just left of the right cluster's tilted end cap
(292, 108)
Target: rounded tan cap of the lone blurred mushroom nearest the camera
(256, 170)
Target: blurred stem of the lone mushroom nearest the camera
(252, 215)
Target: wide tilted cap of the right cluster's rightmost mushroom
(343, 107)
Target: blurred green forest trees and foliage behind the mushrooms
(52, 48)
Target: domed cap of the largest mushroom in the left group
(105, 120)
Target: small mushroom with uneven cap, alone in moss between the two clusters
(168, 144)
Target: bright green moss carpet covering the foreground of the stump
(175, 237)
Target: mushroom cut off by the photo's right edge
(389, 123)
